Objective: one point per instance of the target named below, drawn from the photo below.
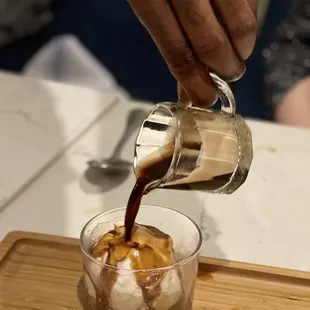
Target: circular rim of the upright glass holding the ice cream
(173, 266)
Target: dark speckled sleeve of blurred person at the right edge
(287, 60)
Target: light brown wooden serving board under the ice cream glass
(44, 272)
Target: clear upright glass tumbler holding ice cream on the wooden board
(113, 288)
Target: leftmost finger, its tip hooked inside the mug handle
(159, 19)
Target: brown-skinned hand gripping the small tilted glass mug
(191, 39)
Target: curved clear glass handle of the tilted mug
(228, 103)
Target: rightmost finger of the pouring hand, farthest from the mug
(240, 23)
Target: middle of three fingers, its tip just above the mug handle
(208, 38)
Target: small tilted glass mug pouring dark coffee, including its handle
(206, 149)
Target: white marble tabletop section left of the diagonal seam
(38, 120)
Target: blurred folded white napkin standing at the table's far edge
(65, 59)
